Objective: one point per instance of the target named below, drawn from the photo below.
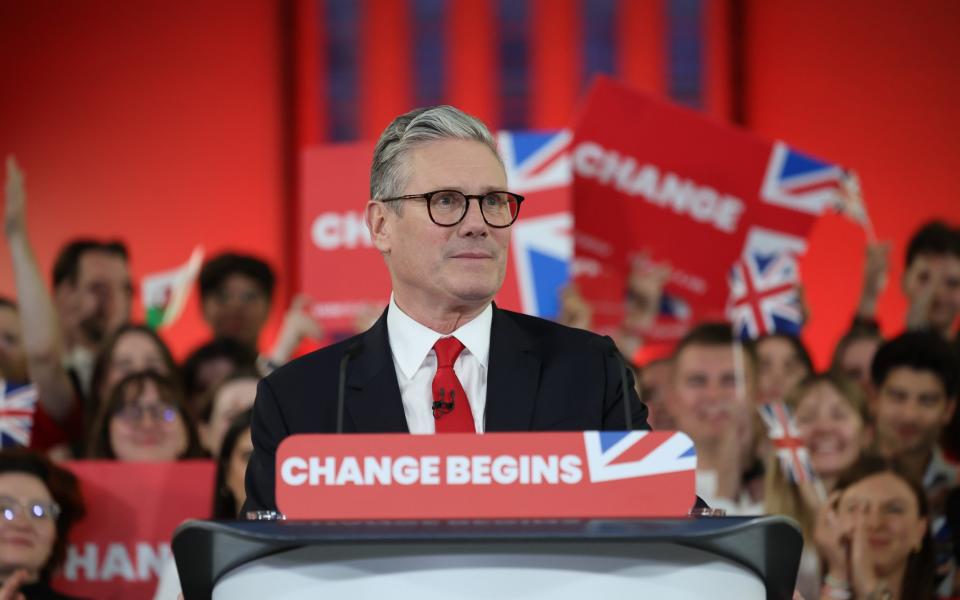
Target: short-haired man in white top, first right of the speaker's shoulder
(712, 400)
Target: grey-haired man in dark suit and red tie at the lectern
(442, 357)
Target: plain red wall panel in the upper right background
(871, 84)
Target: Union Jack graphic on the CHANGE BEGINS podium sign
(613, 455)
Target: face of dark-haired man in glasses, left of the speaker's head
(237, 309)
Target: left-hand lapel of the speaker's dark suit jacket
(373, 399)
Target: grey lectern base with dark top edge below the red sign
(733, 557)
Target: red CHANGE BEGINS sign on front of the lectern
(609, 474)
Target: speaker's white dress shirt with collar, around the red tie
(416, 363)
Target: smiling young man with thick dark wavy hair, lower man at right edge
(916, 379)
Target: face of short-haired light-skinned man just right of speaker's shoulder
(708, 397)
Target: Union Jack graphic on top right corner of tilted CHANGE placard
(800, 182)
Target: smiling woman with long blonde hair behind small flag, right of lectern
(831, 417)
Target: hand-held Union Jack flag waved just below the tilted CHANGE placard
(764, 297)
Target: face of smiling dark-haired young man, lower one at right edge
(910, 409)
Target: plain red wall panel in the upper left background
(157, 121)
